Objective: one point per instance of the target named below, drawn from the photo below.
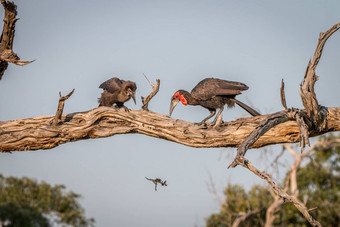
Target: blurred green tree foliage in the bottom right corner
(319, 186)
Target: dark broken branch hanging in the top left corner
(7, 36)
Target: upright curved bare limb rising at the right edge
(308, 96)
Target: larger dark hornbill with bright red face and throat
(212, 93)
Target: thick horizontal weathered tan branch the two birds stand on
(38, 133)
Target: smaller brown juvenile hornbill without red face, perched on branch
(117, 91)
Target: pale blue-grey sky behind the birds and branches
(79, 44)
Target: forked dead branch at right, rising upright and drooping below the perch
(309, 122)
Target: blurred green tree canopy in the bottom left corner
(26, 202)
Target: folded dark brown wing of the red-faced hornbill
(211, 87)
